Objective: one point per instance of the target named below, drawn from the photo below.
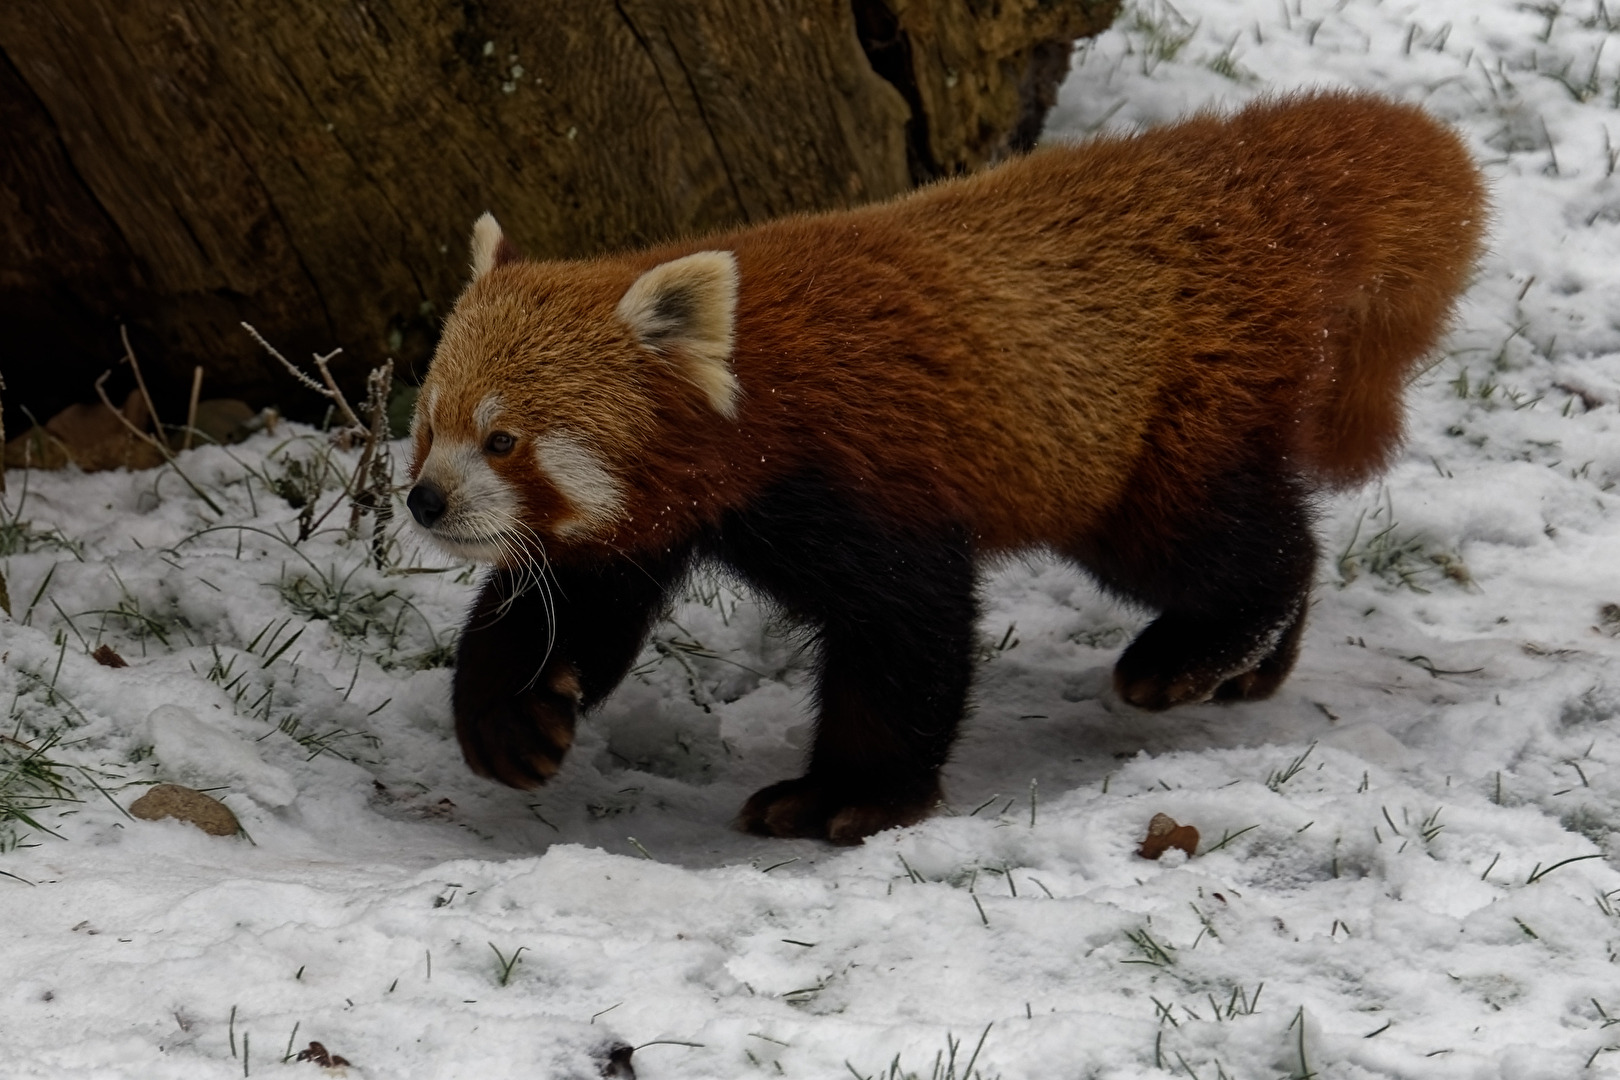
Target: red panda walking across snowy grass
(1145, 354)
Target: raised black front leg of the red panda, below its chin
(532, 660)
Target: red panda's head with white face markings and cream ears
(547, 391)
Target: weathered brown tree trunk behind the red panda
(313, 166)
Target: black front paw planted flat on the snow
(817, 810)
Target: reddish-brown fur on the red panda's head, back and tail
(1007, 349)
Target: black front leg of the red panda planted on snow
(893, 616)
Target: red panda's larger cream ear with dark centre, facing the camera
(688, 310)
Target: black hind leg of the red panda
(1232, 579)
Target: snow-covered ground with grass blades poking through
(1396, 893)
